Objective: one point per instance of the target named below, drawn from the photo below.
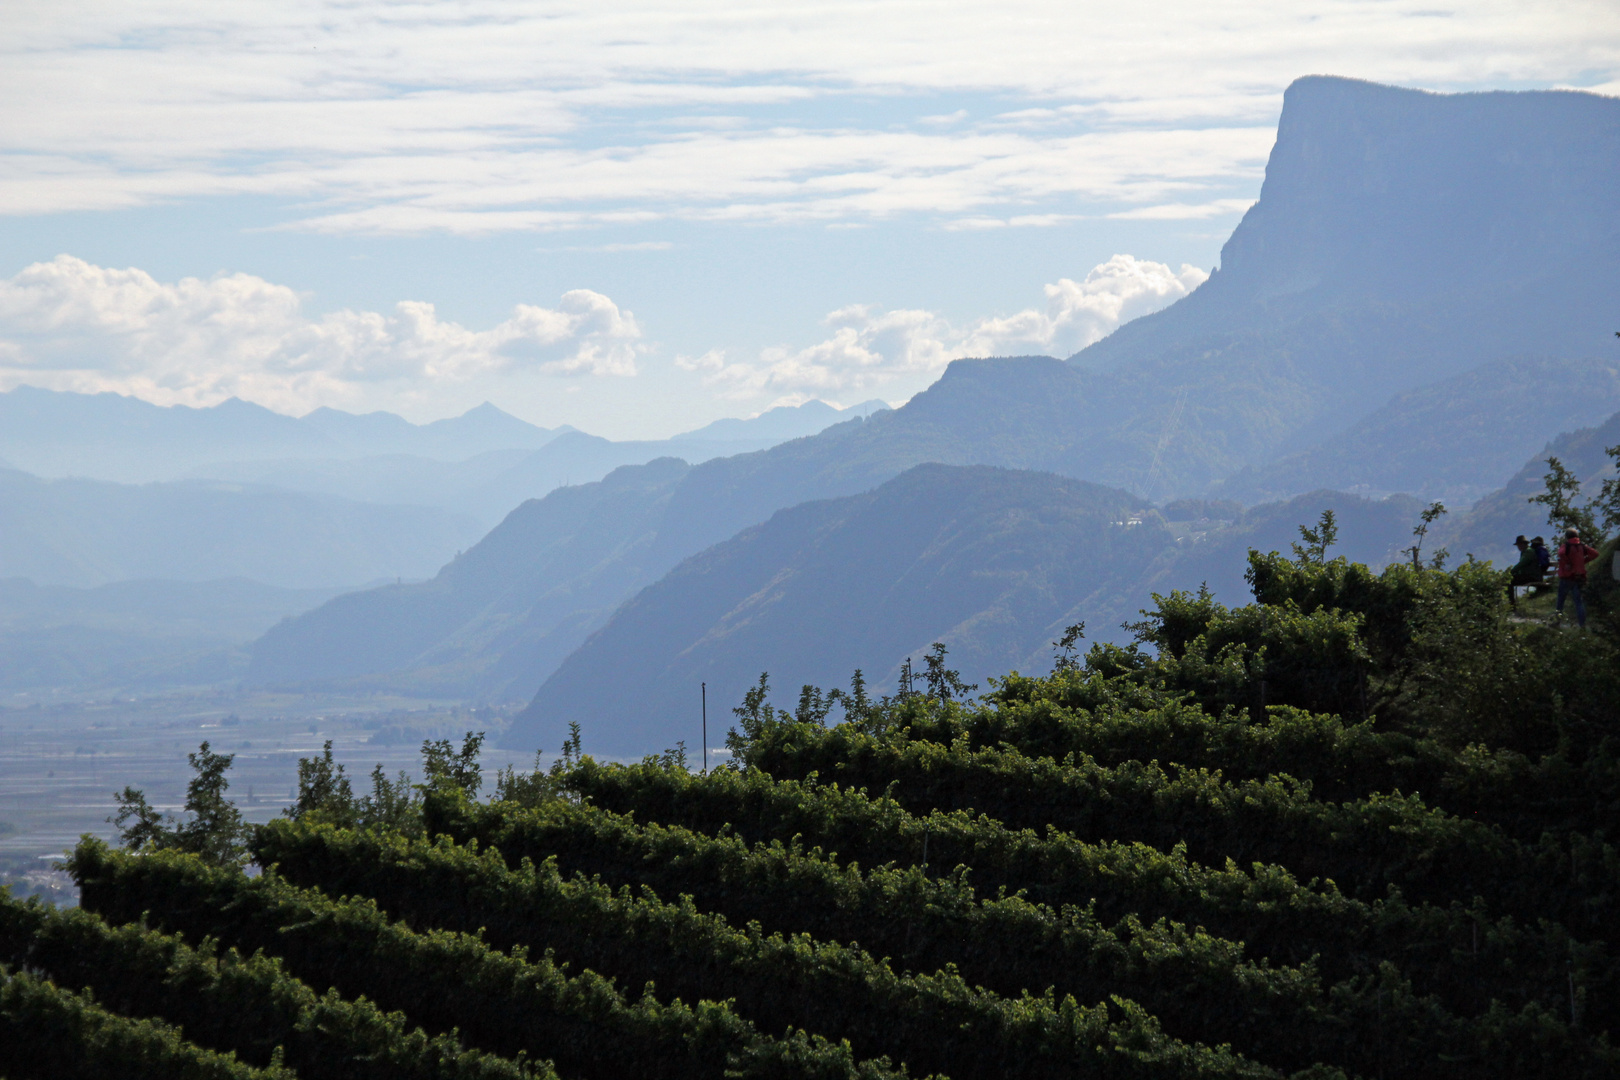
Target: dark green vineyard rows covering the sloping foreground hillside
(1362, 828)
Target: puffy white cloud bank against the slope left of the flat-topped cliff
(869, 347)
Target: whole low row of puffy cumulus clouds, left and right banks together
(69, 325)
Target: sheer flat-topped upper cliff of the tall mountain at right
(1384, 193)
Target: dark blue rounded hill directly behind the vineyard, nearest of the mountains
(992, 563)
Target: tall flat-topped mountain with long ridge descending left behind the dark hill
(1285, 347)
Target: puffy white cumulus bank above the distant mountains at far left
(74, 326)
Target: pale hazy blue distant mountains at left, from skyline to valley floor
(221, 556)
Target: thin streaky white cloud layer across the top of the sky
(493, 116)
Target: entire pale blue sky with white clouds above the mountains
(637, 218)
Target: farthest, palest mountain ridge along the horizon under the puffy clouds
(480, 464)
